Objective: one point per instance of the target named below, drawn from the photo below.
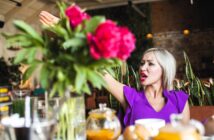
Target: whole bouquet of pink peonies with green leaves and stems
(74, 52)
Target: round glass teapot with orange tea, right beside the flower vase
(102, 124)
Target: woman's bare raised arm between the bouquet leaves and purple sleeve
(115, 88)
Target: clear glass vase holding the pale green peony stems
(72, 122)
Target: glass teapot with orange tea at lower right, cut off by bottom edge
(193, 130)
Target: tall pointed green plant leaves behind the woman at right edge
(201, 93)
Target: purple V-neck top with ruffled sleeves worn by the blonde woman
(138, 106)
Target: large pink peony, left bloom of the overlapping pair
(106, 41)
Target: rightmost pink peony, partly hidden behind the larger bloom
(127, 43)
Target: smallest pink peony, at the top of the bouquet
(75, 15)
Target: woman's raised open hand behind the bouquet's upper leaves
(47, 18)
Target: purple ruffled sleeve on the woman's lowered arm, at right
(181, 98)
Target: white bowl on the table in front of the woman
(152, 125)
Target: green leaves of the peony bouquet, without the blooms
(65, 61)
